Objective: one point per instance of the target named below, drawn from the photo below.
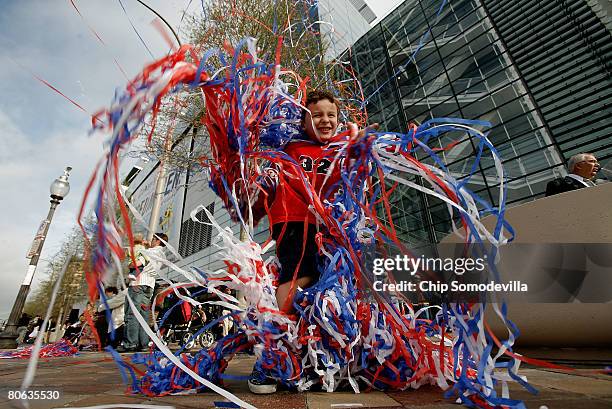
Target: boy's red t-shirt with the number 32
(292, 199)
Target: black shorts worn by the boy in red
(290, 248)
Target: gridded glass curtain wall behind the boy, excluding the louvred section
(424, 62)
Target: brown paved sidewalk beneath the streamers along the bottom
(92, 378)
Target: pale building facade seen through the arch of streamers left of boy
(185, 191)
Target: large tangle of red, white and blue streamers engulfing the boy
(341, 334)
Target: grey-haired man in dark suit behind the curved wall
(582, 168)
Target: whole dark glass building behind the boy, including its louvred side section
(539, 72)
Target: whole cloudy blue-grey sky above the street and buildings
(40, 131)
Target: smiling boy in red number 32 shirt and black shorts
(289, 213)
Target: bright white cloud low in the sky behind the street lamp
(26, 174)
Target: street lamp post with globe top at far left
(59, 189)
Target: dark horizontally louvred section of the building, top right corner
(563, 51)
